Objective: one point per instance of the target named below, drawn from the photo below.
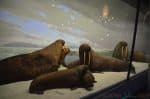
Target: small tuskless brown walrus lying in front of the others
(79, 77)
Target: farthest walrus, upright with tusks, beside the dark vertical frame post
(121, 51)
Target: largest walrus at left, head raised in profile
(28, 66)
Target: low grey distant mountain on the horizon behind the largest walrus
(22, 44)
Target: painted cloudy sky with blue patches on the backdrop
(100, 23)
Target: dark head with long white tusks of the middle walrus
(85, 54)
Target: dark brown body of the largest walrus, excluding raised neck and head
(25, 67)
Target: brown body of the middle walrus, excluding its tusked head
(106, 63)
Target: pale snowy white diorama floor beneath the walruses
(19, 90)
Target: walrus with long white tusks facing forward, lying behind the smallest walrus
(99, 63)
